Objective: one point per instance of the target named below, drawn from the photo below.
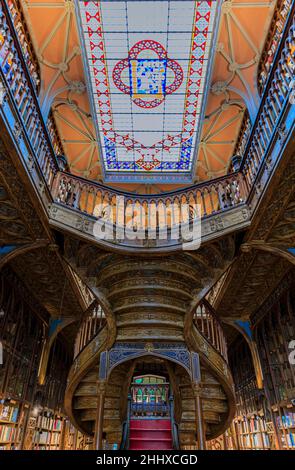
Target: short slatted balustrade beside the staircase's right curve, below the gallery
(209, 325)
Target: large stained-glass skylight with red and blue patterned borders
(148, 64)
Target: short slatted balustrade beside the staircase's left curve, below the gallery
(91, 324)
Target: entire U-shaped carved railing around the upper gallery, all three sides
(201, 200)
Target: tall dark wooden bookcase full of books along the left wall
(31, 416)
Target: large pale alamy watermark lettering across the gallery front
(124, 220)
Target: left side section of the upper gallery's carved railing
(17, 82)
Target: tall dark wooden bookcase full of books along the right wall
(265, 419)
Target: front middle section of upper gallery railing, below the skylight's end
(95, 199)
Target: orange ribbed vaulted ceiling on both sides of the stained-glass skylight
(243, 26)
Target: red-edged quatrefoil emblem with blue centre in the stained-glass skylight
(150, 76)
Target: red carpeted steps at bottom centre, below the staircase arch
(150, 434)
